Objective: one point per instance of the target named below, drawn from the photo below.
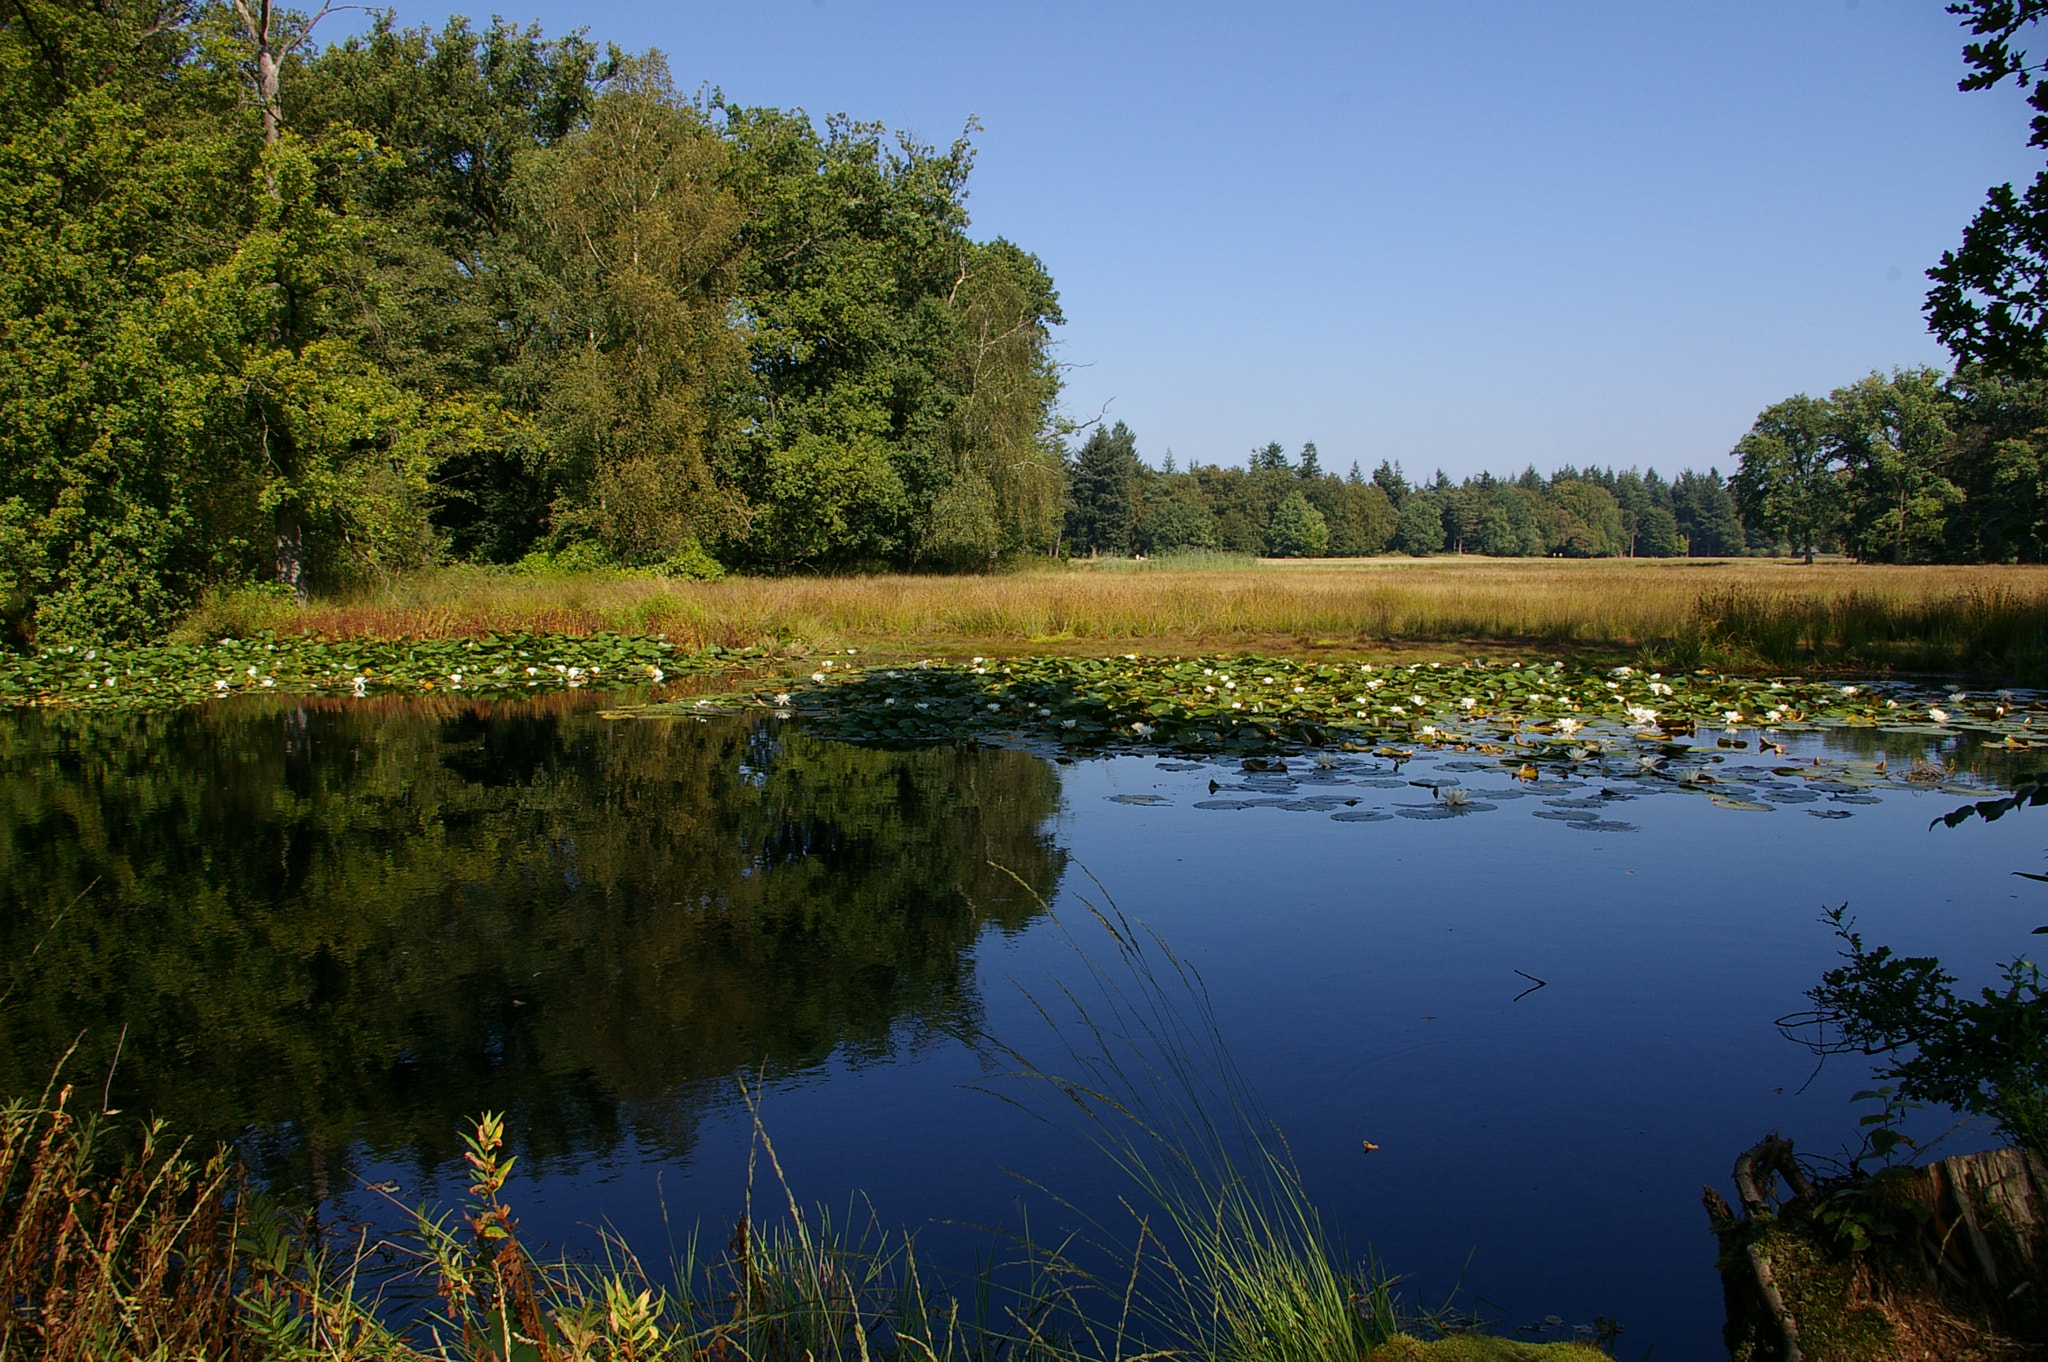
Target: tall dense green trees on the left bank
(325, 314)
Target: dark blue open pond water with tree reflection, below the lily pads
(331, 931)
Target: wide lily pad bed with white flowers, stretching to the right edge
(1232, 704)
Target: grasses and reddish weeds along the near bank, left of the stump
(120, 1242)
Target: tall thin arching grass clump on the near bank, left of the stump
(1242, 1267)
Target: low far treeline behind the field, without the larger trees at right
(1293, 509)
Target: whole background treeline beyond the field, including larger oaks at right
(1906, 468)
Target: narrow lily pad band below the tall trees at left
(302, 665)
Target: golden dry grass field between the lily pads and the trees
(1680, 611)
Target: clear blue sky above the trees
(1463, 237)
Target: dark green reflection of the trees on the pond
(339, 923)
